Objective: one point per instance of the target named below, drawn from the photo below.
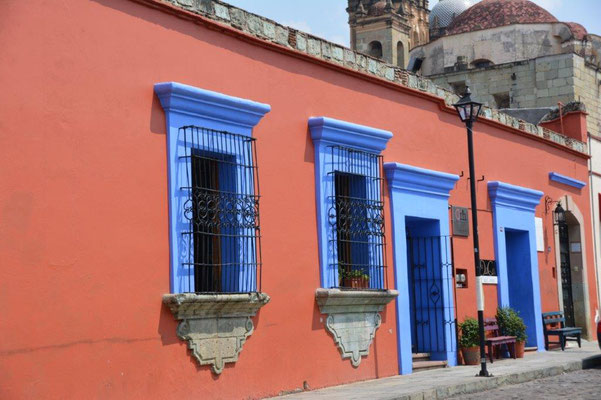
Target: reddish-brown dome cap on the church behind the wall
(490, 14)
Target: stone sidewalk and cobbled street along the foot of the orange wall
(546, 375)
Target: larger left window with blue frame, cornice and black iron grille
(213, 190)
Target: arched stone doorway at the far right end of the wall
(570, 256)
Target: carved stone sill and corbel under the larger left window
(215, 325)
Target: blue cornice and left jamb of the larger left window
(187, 105)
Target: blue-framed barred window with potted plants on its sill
(348, 175)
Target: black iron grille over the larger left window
(220, 226)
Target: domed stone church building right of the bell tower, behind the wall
(513, 54)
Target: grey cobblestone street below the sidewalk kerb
(575, 385)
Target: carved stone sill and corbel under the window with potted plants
(353, 318)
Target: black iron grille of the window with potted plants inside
(356, 217)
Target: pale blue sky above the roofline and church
(328, 18)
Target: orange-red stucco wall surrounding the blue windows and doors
(83, 202)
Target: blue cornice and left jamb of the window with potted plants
(327, 132)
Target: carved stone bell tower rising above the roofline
(388, 29)
